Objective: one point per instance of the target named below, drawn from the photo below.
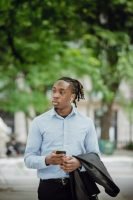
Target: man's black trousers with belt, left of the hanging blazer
(52, 190)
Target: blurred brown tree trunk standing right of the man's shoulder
(105, 121)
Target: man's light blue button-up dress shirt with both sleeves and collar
(49, 132)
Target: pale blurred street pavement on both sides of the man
(19, 183)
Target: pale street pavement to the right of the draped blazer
(121, 170)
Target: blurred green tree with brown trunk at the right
(108, 30)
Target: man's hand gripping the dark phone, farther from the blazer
(54, 159)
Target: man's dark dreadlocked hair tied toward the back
(77, 88)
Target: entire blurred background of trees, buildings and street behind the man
(42, 40)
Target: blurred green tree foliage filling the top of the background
(43, 40)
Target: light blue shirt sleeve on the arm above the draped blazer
(91, 140)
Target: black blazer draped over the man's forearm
(83, 184)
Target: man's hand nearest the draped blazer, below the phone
(70, 164)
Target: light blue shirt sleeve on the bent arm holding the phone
(32, 157)
